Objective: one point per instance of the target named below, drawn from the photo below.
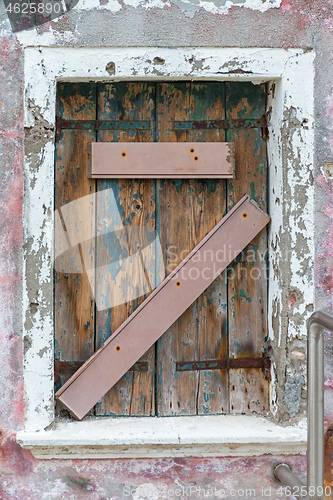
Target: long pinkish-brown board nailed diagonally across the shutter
(163, 306)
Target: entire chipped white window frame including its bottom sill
(290, 156)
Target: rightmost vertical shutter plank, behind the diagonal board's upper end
(247, 286)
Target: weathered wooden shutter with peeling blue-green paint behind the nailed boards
(229, 318)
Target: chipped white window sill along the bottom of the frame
(149, 437)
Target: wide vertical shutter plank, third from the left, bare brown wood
(186, 211)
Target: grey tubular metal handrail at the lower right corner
(318, 322)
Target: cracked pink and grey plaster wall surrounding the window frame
(248, 23)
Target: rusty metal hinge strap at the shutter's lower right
(226, 364)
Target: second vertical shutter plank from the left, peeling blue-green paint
(135, 203)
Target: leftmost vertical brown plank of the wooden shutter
(73, 296)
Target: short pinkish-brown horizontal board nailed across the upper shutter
(162, 160)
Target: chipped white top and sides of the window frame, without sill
(290, 149)
